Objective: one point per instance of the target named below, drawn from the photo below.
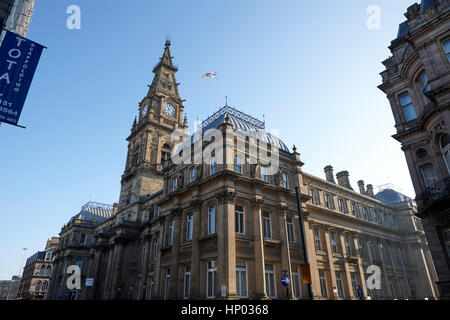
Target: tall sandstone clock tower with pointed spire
(149, 144)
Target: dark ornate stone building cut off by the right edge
(416, 81)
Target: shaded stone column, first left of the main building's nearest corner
(195, 257)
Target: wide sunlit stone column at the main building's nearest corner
(226, 243)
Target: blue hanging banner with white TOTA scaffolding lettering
(19, 58)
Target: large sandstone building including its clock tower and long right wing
(224, 222)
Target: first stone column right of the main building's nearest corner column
(258, 240)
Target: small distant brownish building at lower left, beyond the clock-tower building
(37, 272)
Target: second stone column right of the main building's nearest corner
(285, 250)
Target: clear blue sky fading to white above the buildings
(312, 68)
